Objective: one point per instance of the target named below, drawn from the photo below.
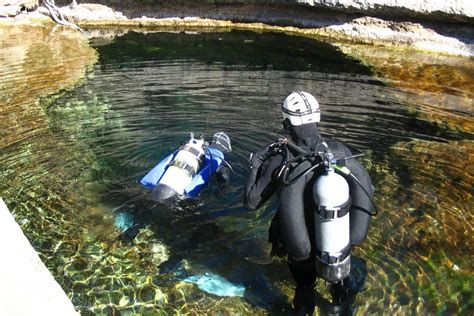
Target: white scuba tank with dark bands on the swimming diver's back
(181, 170)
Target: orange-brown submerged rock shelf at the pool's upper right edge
(435, 88)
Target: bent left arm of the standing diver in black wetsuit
(261, 182)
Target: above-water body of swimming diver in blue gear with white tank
(190, 168)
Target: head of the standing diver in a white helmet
(301, 114)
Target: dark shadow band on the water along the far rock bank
(232, 49)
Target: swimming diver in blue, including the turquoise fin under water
(182, 174)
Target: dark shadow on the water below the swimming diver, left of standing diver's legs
(198, 245)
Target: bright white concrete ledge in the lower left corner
(26, 285)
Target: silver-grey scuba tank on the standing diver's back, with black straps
(332, 203)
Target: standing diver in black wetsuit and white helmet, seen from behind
(325, 200)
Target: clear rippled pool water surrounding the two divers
(72, 164)
